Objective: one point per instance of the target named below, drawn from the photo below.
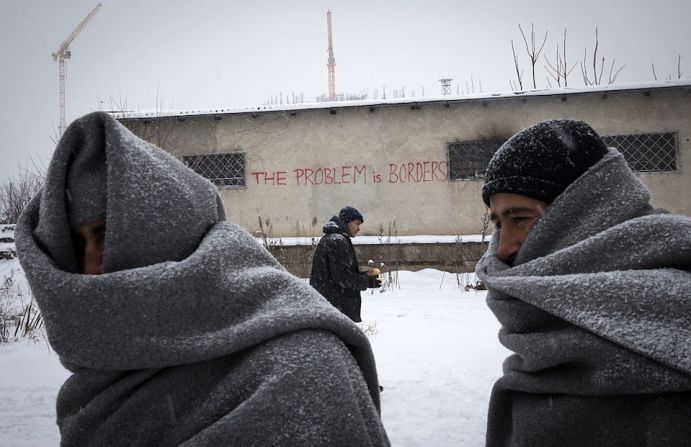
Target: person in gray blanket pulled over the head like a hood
(178, 327)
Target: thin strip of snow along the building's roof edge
(395, 101)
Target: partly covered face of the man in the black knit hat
(515, 215)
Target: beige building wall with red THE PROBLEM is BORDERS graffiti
(390, 160)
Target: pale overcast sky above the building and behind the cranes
(182, 54)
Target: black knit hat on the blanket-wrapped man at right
(543, 160)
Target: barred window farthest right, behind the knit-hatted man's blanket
(647, 152)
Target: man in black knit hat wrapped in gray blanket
(592, 287)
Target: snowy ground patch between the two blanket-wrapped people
(437, 355)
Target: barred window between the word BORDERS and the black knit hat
(469, 159)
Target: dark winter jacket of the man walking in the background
(335, 271)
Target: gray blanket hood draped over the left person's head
(157, 209)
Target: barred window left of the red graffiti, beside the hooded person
(224, 170)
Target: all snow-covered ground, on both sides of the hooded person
(437, 355)
